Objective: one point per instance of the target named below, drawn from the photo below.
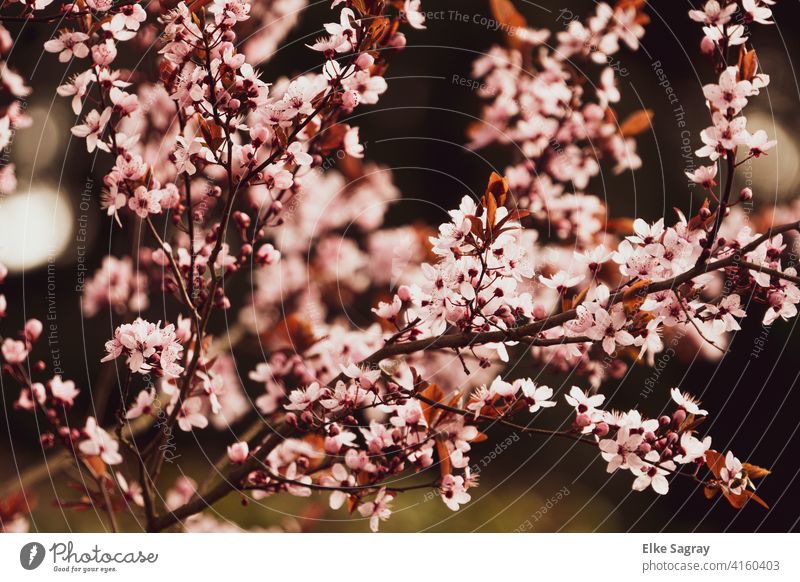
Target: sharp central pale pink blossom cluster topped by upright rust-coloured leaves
(474, 286)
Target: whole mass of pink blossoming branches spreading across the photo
(269, 178)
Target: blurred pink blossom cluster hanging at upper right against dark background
(561, 128)
